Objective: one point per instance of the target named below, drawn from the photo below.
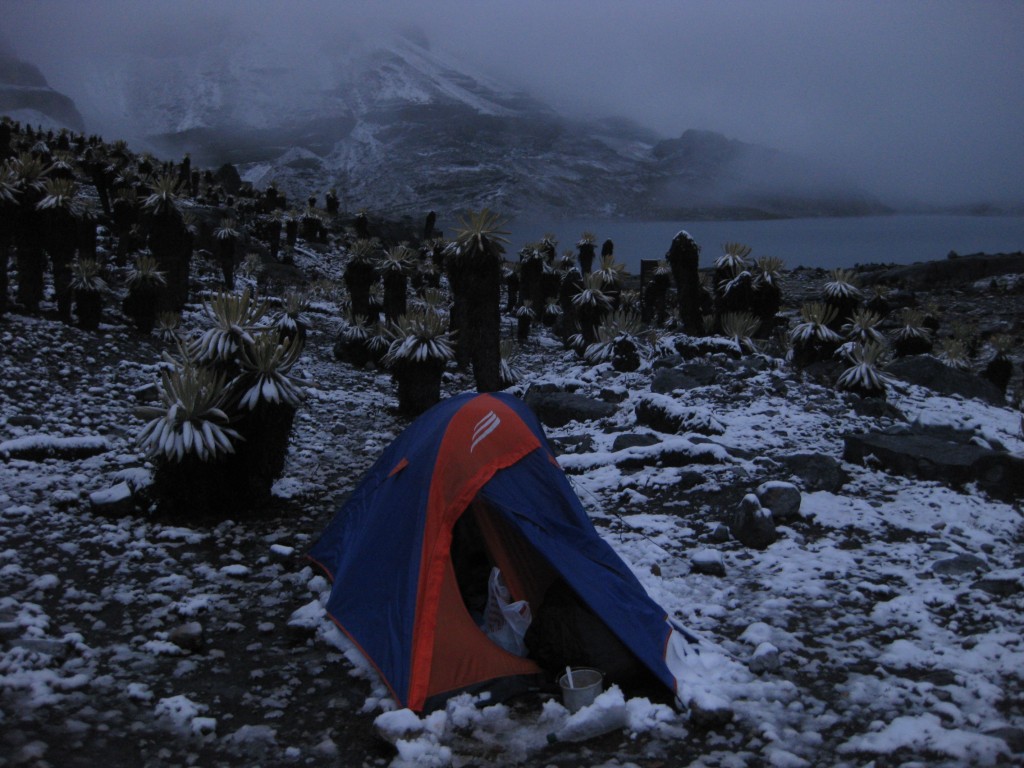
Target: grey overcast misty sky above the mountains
(914, 100)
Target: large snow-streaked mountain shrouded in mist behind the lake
(399, 127)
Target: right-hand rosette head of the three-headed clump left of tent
(265, 377)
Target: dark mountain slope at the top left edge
(26, 97)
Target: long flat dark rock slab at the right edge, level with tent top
(918, 454)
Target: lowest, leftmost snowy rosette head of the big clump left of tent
(192, 420)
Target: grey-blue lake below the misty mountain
(825, 243)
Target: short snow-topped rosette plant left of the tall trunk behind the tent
(417, 359)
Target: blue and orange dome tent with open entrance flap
(470, 487)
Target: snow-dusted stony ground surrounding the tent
(866, 635)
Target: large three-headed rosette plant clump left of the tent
(239, 400)
